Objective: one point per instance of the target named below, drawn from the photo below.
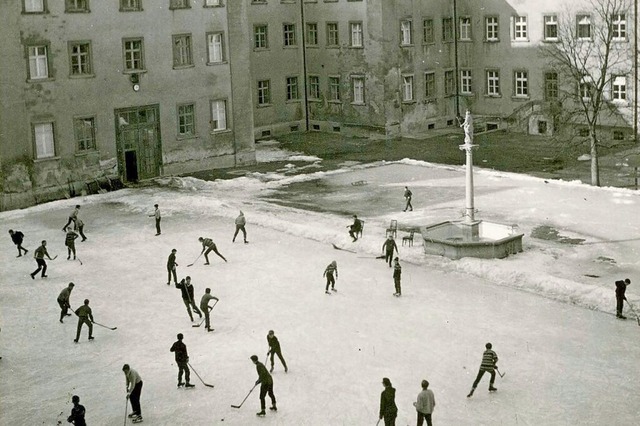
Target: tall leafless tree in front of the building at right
(588, 53)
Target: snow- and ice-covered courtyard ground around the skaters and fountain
(547, 311)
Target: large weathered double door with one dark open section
(139, 147)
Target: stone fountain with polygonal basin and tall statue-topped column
(470, 237)
